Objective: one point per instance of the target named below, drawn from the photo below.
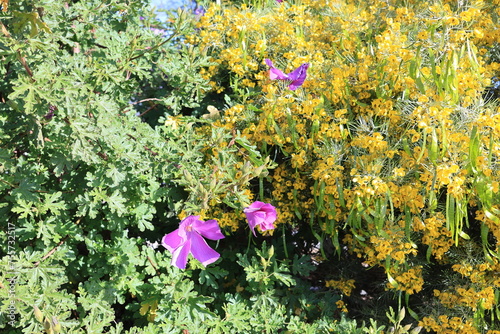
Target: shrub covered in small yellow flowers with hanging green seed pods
(390, 147)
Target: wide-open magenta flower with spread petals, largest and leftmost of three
(188, 238)
